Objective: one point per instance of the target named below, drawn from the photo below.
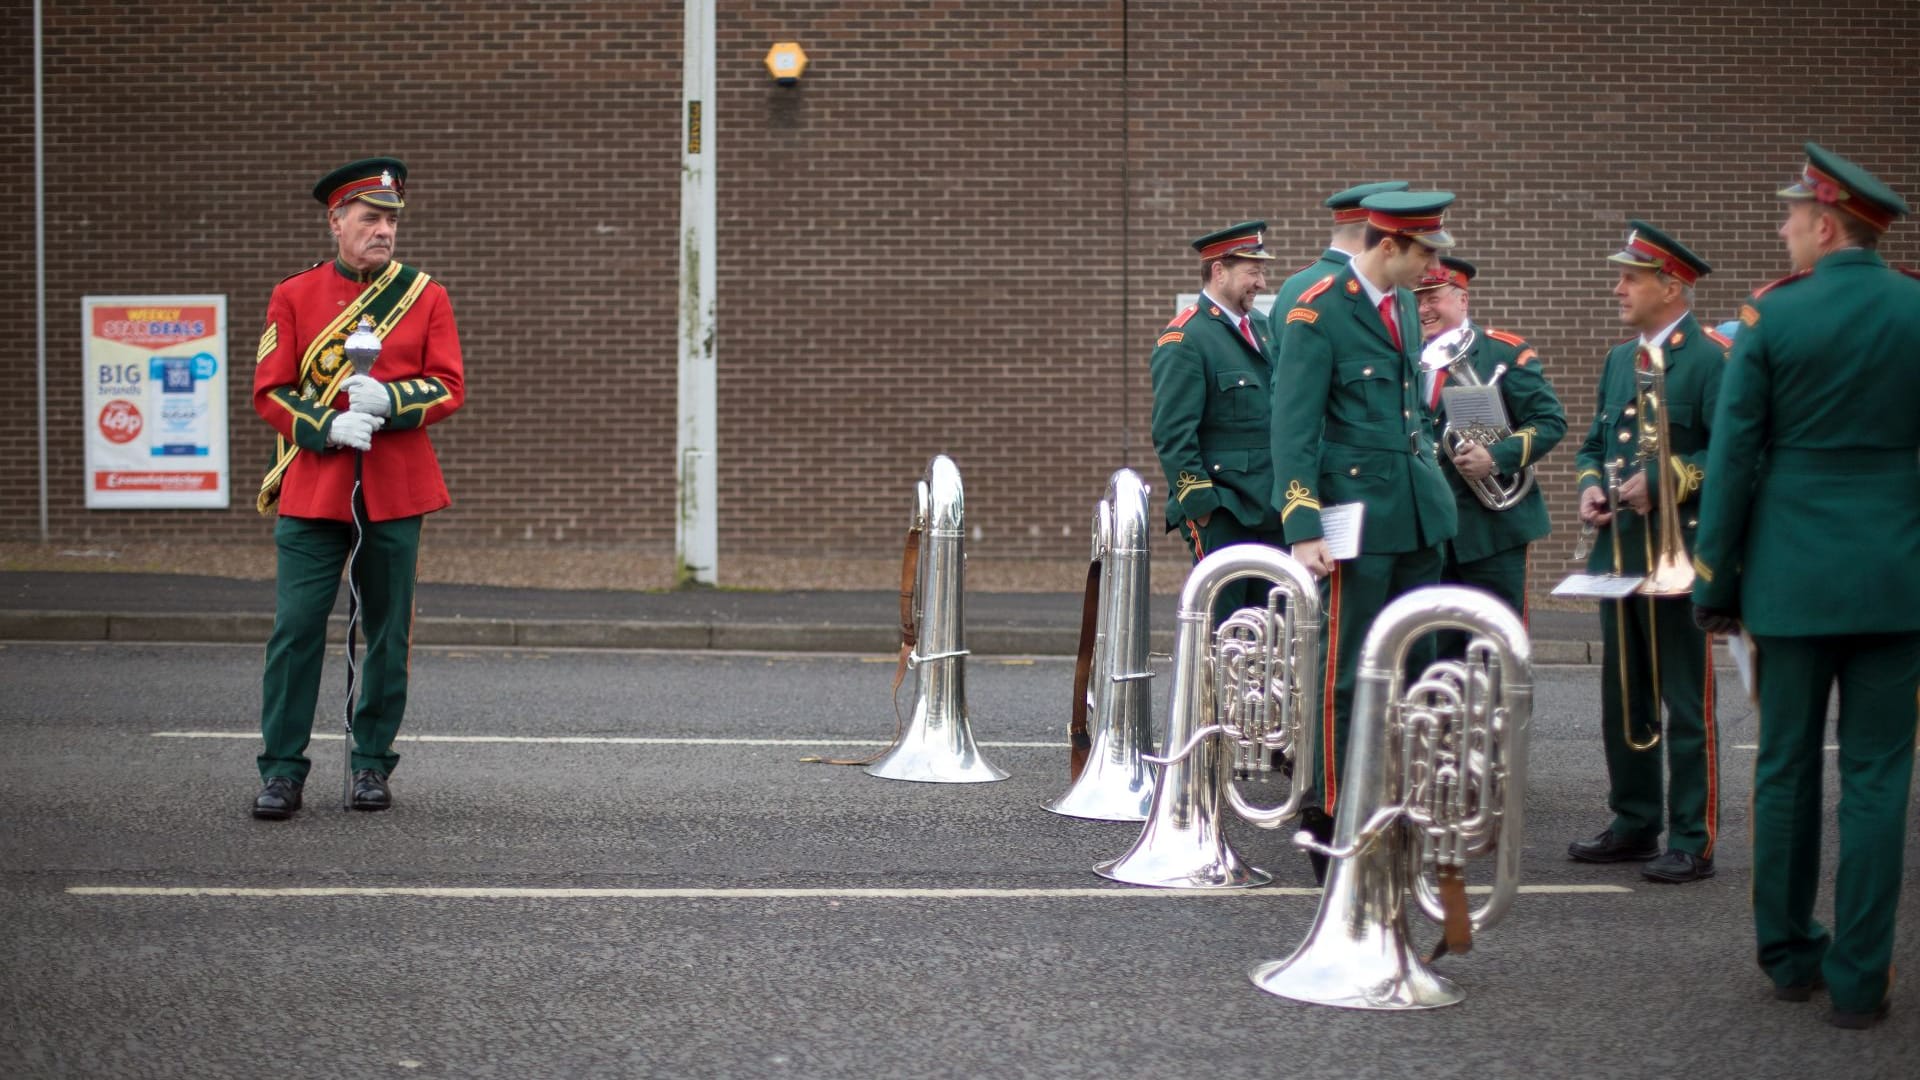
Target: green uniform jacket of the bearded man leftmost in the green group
(1211, 418)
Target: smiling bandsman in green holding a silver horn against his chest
(1491, 547)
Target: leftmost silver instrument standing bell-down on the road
(938, 745)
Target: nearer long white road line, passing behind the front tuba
(435, 893)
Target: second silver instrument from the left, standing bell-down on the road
(1116, 783)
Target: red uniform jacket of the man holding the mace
(420, 362)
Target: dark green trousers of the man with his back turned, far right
(1879, 681)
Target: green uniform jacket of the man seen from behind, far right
(1813, 524)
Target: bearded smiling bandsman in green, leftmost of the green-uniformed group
(1211, 406)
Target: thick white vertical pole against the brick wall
(698, 522)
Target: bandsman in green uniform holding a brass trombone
(1652, 639)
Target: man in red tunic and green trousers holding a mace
(352, 466)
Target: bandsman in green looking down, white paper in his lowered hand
(1351, 428)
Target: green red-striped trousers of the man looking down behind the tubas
(1355, 595)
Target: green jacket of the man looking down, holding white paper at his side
(1349, 422)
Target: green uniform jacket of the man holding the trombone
(1696, 358)
